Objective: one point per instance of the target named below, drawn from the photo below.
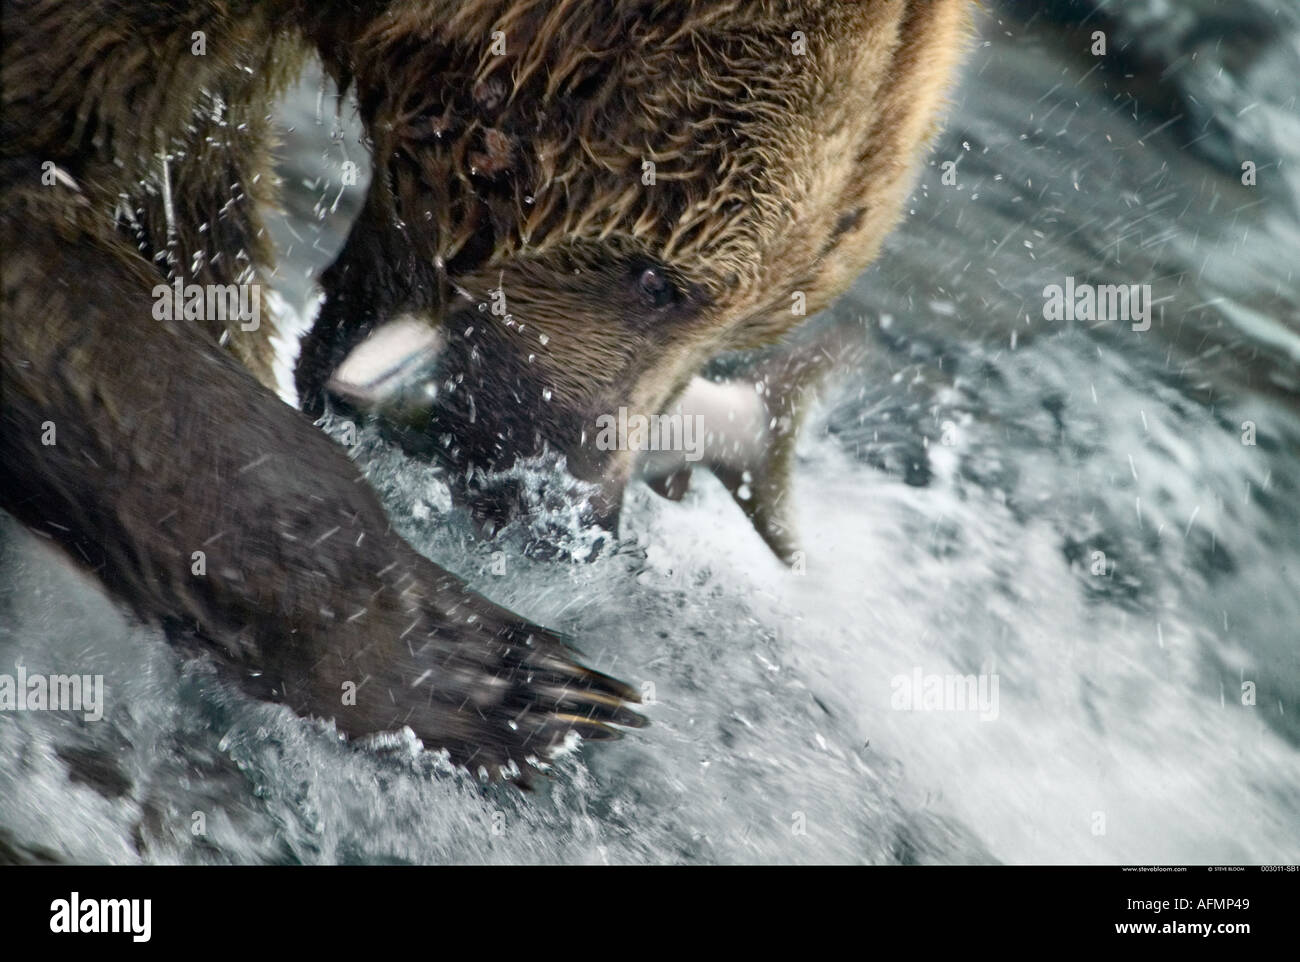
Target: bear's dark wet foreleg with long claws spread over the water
(203, 501)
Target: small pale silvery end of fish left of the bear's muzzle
(395, 367)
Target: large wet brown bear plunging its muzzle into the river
(643, 185)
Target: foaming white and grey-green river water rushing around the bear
(1069, 510)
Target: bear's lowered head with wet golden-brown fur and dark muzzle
(583, 203)
